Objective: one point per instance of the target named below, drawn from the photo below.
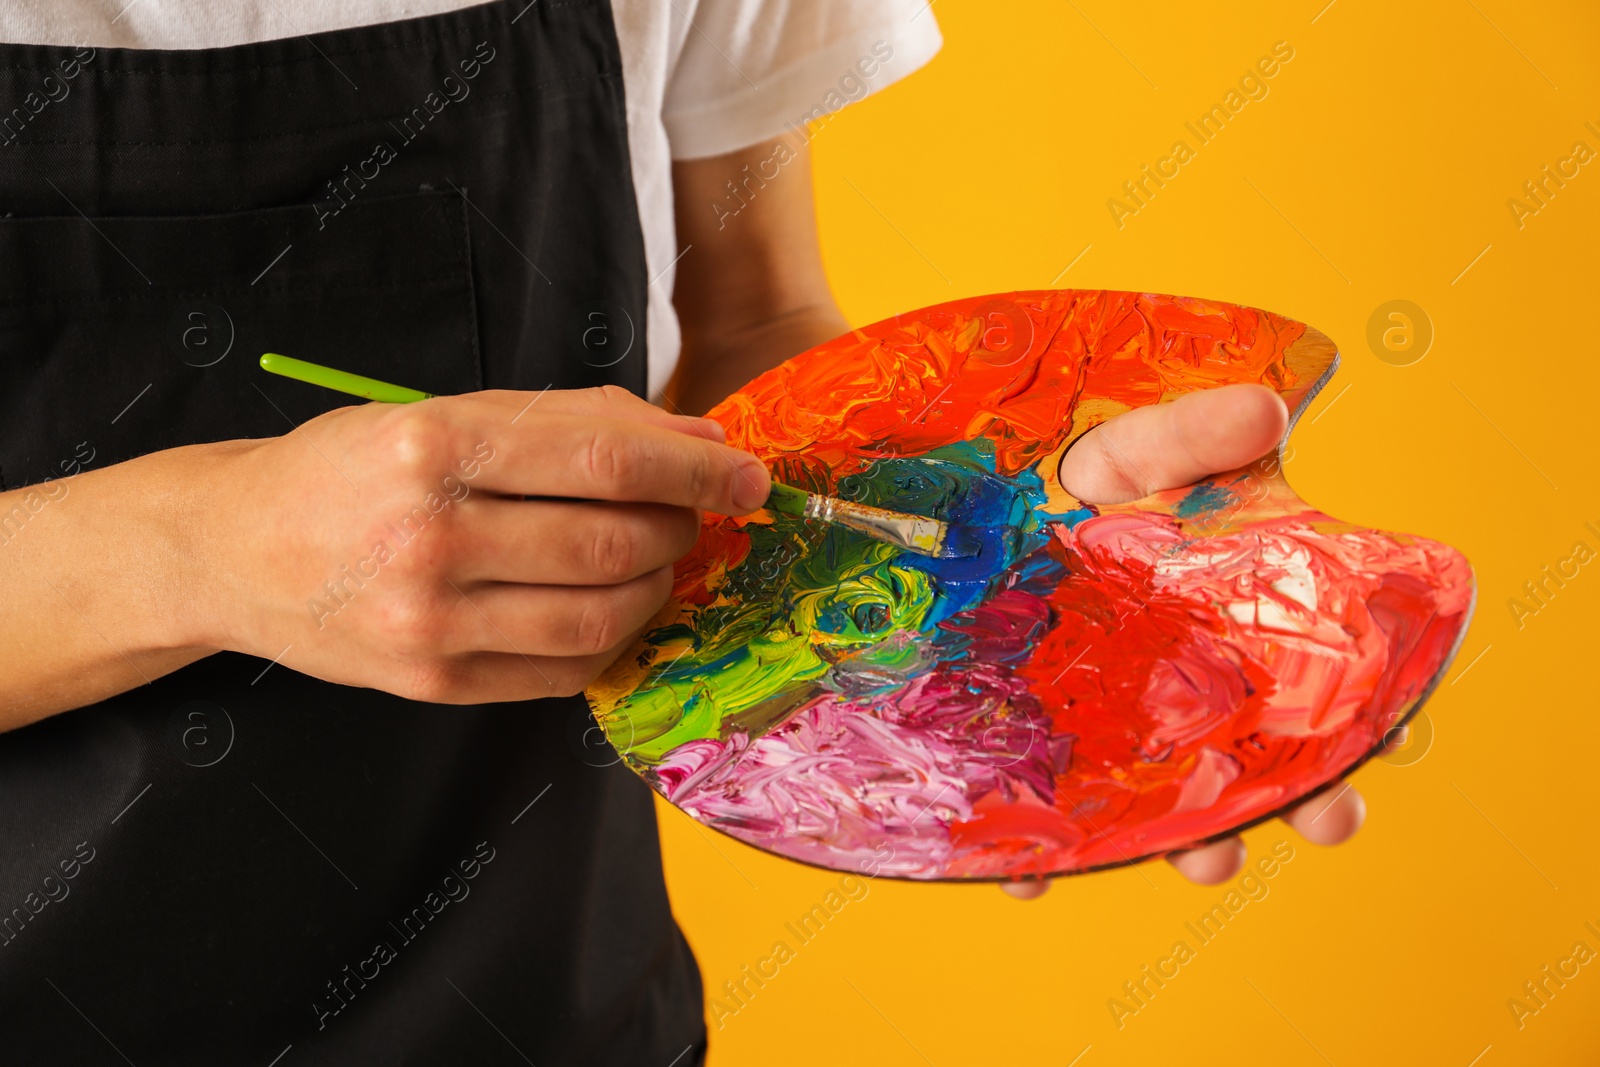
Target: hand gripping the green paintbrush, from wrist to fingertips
(390, 546)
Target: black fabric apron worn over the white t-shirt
(239, 863)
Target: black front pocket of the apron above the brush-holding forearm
(122, 337)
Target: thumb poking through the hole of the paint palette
(1170, 446)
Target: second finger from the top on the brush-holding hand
(558, 543)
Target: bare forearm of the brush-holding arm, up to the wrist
(95, 581)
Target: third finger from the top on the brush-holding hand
(554, 620)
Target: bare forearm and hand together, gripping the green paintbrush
(383, 546)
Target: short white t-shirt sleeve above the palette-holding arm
(750, 70)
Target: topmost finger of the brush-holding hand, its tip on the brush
(610, 460)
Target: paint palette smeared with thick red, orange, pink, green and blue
(1100, 685)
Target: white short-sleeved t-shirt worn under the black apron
(703, 78)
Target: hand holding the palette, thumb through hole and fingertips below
(1166, 447)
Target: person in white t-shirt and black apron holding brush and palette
(295, 765)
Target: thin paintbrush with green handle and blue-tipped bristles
(914, 533)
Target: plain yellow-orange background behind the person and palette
(1377, 169)
